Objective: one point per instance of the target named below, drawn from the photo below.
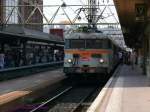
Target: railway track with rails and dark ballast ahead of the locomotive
(71, 99)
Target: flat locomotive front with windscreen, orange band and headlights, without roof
(87, 55)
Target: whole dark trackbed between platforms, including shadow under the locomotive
(75, 98)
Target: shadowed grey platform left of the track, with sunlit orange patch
(16, 90)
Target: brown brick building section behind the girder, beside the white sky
(36, 17)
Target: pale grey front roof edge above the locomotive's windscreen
(86, 35)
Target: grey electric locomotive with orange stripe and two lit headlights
(89, 53)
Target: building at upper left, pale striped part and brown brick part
(21, 13)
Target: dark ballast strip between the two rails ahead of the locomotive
(73, 100)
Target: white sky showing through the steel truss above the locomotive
(71, 11)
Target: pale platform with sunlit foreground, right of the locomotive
(127, 91)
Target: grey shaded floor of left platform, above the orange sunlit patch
(29, 82)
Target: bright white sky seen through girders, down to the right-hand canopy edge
(110, 14)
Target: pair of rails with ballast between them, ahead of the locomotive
(71, 99)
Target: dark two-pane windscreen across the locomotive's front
(87, 43)
